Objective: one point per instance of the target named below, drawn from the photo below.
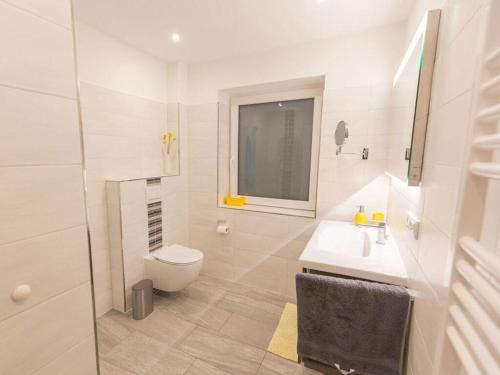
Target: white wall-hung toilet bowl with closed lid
(174, 267)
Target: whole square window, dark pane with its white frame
(274, 149)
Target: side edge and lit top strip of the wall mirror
(428, 30)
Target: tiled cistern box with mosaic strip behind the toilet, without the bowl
(129, 233)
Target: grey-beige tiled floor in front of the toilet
(213, 327)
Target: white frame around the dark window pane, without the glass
(317, 95)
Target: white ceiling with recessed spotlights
(214, 29)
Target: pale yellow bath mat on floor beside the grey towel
(284, 341)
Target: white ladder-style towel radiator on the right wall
(473, 326)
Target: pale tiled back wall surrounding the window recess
(262, 249)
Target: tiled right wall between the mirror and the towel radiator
(436, 202)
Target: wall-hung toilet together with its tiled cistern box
(137, 241)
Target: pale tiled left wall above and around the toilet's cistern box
(122, 119)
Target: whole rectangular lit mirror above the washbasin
(411, 99)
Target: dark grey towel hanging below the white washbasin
(356, 324)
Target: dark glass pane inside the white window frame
(274, 149)
